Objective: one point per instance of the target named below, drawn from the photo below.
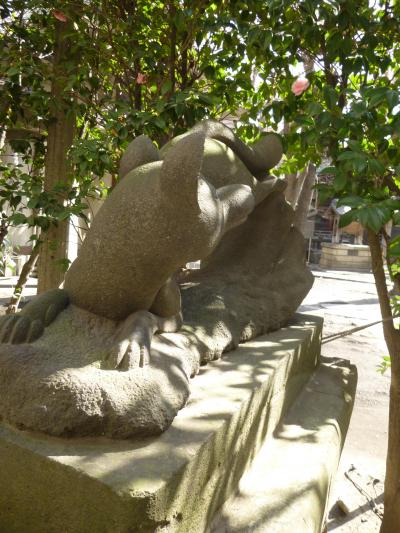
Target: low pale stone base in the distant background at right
(355, 257)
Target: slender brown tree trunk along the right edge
(391, 518)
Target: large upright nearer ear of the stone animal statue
(181, 167)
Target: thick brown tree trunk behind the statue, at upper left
(60, 137)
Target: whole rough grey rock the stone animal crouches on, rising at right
(253, 284)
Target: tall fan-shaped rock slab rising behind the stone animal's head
(253, 283)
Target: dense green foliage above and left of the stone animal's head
(147, 67)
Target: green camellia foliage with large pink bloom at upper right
(352, 113)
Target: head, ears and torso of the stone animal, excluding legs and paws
(164, 214)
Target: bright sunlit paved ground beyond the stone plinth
(345, 300)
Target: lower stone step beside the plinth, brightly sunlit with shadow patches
(288, 485)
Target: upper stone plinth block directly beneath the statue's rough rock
(176, 481)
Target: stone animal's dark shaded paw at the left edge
(17, 329)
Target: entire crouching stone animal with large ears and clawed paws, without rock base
(170, 207)
